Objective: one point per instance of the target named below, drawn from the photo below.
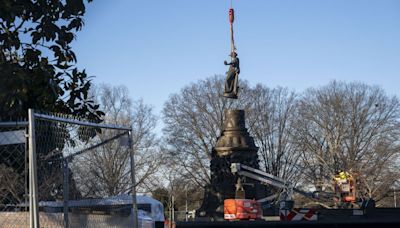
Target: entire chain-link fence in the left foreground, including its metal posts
(59, 171)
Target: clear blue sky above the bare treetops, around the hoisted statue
(156, 47)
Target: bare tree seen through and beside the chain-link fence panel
(106, 170)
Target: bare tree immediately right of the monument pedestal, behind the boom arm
(271, 116)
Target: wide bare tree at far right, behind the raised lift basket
(349, 126)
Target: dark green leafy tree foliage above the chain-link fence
(37, 62)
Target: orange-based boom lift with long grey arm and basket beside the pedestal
(237, 209)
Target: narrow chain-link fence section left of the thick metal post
(13, 174)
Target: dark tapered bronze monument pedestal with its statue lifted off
(235, 145)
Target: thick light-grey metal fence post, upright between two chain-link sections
(33, 185)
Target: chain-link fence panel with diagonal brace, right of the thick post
(80, 163)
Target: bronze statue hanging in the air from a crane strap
(231, 82)
